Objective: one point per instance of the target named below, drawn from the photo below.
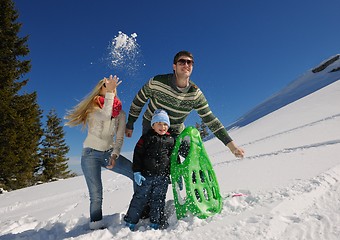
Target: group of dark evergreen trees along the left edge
(30, 153)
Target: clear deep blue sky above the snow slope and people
(244, 50)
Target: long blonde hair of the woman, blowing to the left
(78, 115)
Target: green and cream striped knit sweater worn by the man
(162, 93)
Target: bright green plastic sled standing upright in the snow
(200, 194)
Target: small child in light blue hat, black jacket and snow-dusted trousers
(151, 167)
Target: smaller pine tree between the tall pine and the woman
(54, 149)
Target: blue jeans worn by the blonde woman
(91, 163)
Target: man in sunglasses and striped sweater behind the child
(178, 96)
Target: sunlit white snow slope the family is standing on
(290, 177)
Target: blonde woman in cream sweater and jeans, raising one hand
(102, 112)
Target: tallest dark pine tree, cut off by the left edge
(20, 127)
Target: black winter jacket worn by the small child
(152, 154)
